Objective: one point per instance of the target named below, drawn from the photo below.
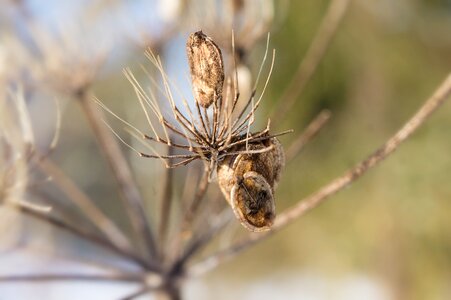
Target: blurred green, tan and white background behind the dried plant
(387, 236)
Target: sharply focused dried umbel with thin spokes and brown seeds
(248, 163)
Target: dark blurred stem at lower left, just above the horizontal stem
(89, 236)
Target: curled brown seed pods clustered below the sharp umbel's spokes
(248, 182)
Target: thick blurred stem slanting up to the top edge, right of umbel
(327, 29)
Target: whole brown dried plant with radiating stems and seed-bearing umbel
(247, 163)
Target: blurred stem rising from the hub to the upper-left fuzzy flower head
(130, 194)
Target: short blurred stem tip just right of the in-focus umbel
(312, 129)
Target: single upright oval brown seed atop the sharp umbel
(206, 68)
